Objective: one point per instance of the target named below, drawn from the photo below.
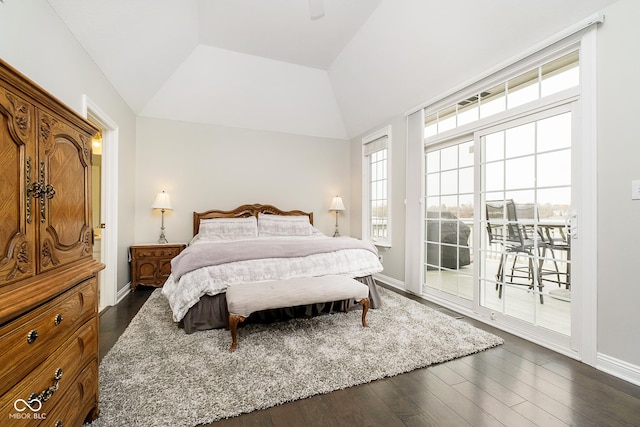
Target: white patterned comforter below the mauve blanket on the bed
(186, 292)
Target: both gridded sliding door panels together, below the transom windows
(497, 222)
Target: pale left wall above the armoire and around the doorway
(35, 42)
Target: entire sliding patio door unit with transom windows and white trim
(507, 177)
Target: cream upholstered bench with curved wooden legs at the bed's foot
(242, 300)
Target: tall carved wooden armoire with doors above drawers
(48, 277)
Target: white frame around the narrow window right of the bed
(366, 187)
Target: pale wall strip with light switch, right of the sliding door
(618, 164)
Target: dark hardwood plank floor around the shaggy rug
(516, 384)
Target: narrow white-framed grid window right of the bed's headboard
(376, 149)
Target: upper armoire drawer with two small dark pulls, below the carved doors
(28, 340)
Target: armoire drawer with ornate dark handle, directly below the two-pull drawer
(54, 379)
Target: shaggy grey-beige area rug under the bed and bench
(156, 375)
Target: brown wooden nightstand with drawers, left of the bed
(151, 264)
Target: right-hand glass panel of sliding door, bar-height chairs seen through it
(525, 203)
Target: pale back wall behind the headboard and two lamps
(212, 167)
